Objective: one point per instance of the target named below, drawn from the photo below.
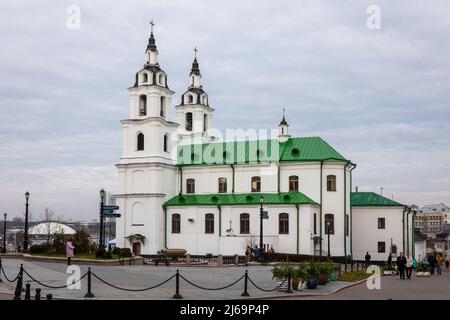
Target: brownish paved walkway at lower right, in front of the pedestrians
(418, 288)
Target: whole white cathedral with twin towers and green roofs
(181, 188)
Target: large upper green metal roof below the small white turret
(257, 151)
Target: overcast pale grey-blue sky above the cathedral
(379, 96)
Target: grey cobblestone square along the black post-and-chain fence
(142, 276)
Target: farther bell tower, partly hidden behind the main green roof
(194, 114)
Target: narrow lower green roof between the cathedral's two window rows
(223, 199)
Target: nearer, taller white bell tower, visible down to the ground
(147, 168)
